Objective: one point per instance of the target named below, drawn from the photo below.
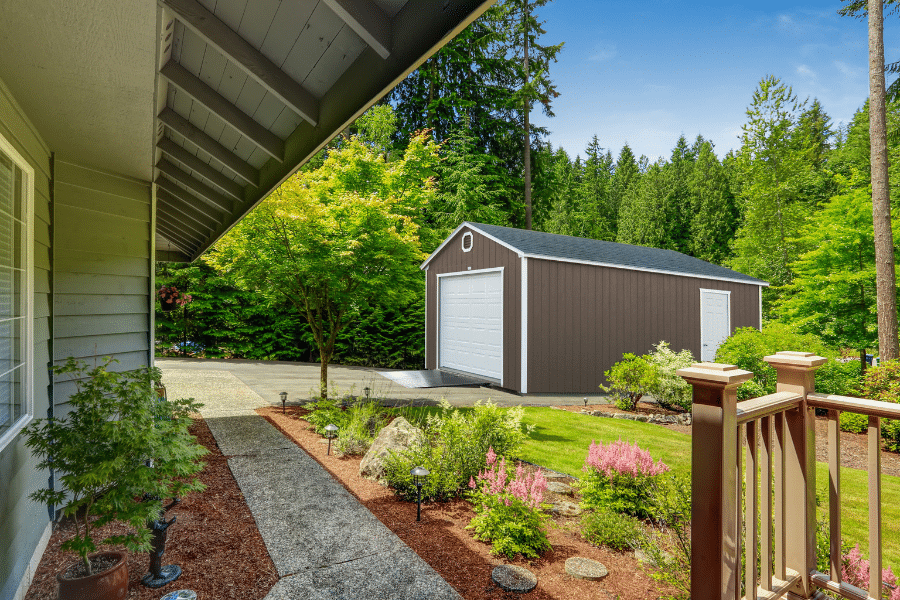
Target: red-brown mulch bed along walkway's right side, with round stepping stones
(443, 542)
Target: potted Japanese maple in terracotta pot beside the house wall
(118, 453)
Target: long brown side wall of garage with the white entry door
(582, 318)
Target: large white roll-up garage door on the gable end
(470, 337)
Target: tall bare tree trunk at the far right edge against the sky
(885, 277)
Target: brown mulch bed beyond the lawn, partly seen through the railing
(854, 446)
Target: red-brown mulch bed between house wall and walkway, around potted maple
(214, 540)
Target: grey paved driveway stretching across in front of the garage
(301, 381)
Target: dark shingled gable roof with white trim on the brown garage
(551, 246)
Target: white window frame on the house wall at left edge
(27, 294)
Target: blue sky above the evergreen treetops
(646, 72)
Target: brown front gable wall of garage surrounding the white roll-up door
(485, 254)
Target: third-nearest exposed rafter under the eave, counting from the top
(187, 82)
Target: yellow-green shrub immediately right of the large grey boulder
(455, 447)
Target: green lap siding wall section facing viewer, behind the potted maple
(103, 269)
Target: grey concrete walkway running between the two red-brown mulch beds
(324, 543)
